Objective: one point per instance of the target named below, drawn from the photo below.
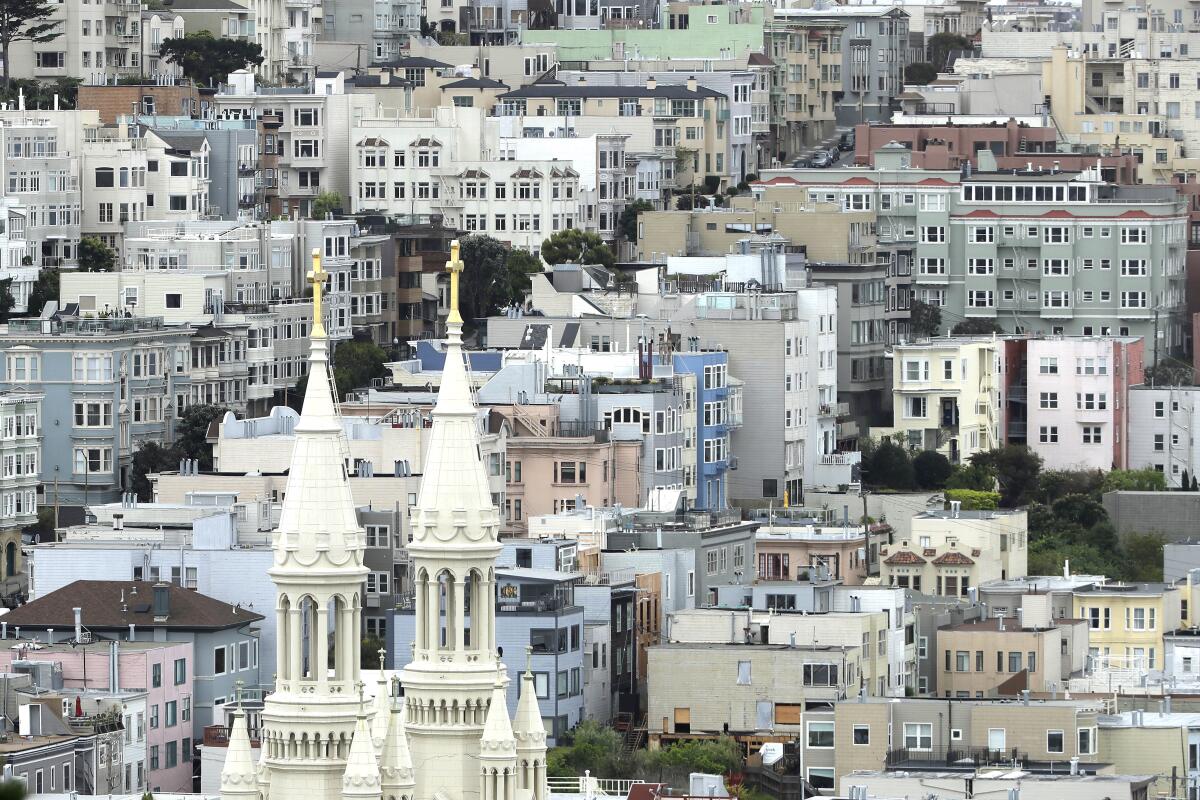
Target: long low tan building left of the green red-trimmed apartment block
(827, 232)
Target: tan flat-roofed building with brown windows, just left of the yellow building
(995, 657)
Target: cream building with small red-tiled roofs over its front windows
(949, 554)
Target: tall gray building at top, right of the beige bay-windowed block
(874, 52)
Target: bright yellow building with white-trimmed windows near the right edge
(1127, 622)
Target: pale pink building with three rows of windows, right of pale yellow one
(1078, 399)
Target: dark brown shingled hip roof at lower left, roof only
(101, 603)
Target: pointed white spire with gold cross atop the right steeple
(455, 504)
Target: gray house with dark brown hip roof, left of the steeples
(225, 637)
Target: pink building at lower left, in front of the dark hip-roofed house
(163, 670)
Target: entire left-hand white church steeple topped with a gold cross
(319, 573)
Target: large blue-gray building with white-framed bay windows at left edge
(109, 386)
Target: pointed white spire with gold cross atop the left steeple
(319, 510)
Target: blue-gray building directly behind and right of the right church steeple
(538, 625)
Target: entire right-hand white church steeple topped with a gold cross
(455, 543)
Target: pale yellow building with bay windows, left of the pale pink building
(946, 396)
